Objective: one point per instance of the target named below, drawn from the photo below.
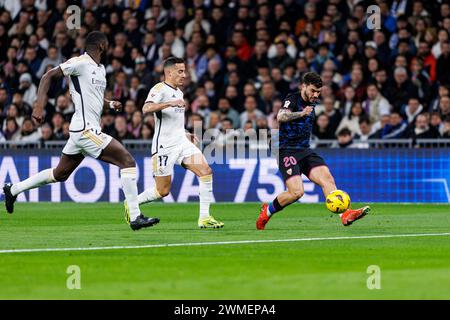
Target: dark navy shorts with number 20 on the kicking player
(294, 162)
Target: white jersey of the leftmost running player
(87, 86)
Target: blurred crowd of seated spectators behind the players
(243, 57)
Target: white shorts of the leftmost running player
(89, 142)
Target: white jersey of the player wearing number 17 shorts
(169, 122)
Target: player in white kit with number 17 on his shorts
(171, 144)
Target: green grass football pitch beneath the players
(304, 253)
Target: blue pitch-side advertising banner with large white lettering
(391, 175)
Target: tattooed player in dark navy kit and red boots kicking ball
(296, 118)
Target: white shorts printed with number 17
(164, 160)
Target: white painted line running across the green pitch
(191, 244)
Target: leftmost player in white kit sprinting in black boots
(87, 85)
